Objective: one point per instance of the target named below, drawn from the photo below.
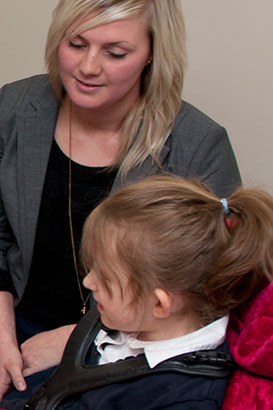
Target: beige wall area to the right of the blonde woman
(230, 76)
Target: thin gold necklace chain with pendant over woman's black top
(84, 301)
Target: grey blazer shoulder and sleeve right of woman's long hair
(200, 149)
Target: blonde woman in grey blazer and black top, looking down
(109, 112)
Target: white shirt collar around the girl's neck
(122, 345)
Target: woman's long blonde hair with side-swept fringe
(149, 122)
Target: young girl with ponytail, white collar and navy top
(167, 261)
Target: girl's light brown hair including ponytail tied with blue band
(173, 233)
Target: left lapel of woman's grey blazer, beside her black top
(35, 135)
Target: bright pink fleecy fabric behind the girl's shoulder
(250, 336)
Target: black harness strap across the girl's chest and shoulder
(74, 376)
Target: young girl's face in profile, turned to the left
(115, 303)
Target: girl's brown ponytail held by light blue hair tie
(245, 261)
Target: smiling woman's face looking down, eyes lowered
(101, 68)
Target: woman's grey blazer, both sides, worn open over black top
(197, 147)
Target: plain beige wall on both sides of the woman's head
(230, 72)
